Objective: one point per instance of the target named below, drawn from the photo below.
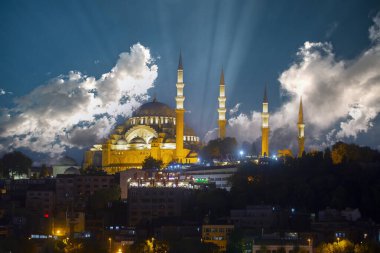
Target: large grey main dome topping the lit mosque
(154, 108)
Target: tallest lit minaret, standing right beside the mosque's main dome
(180, 111)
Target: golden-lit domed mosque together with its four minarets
(157, 130)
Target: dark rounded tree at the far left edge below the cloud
(15, 163)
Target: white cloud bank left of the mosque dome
(76, 110)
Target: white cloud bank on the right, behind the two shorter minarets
(340, 97)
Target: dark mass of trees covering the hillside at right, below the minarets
(310, 183)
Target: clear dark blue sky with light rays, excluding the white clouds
(255, 41)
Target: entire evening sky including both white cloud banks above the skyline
(71, 70)
